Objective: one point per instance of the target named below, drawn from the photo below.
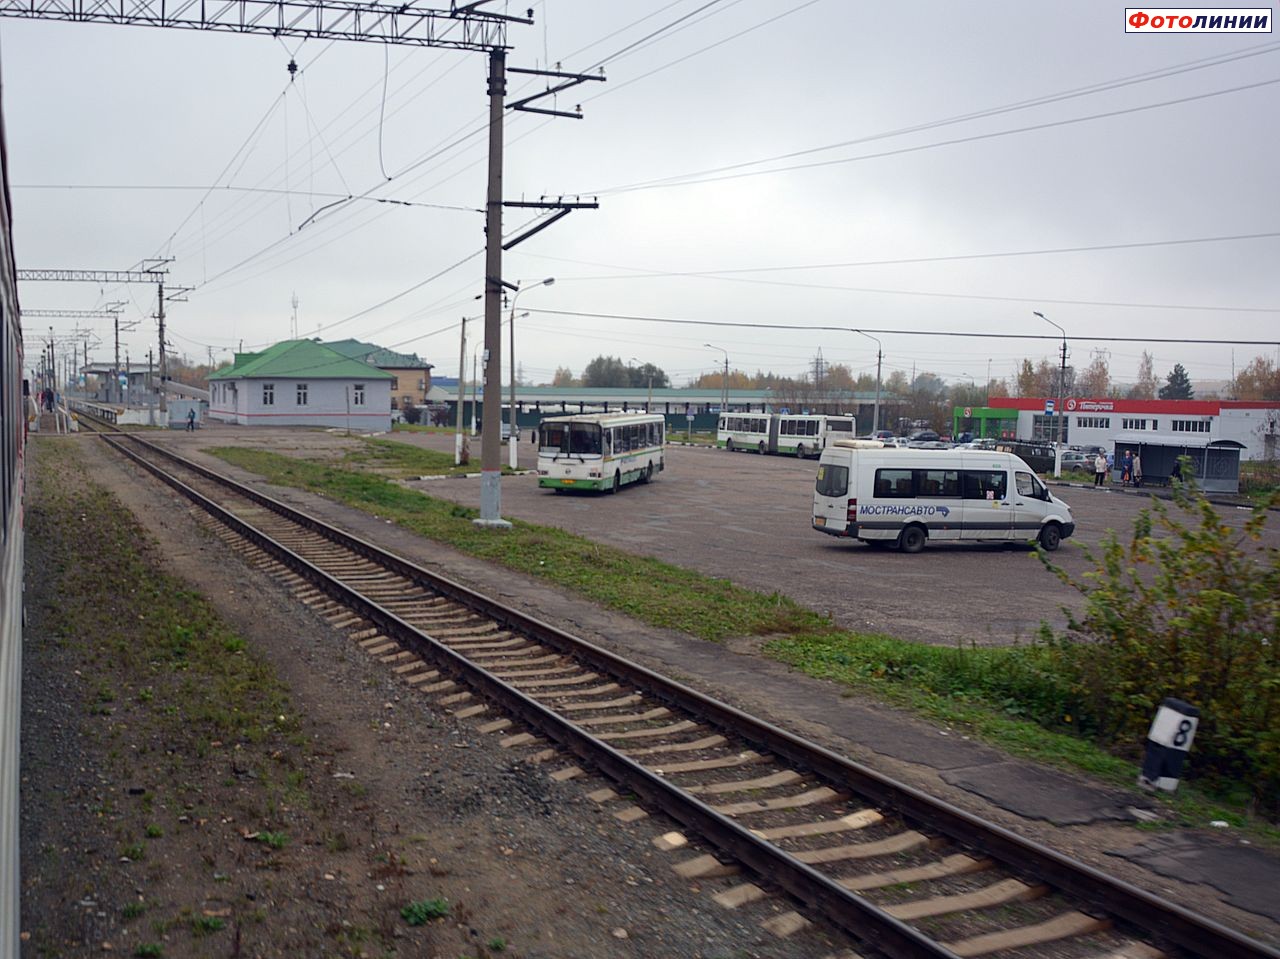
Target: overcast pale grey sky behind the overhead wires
(117, 134)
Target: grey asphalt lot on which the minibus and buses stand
(747, 518)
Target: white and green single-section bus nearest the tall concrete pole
(600, 451)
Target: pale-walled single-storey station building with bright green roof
(301, 383)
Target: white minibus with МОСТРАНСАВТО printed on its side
(909, 497)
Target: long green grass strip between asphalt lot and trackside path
(1005, 696)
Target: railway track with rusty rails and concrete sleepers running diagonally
(903, 874)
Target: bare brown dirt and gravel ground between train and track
(403, 803)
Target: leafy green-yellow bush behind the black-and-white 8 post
(1187, 606)
